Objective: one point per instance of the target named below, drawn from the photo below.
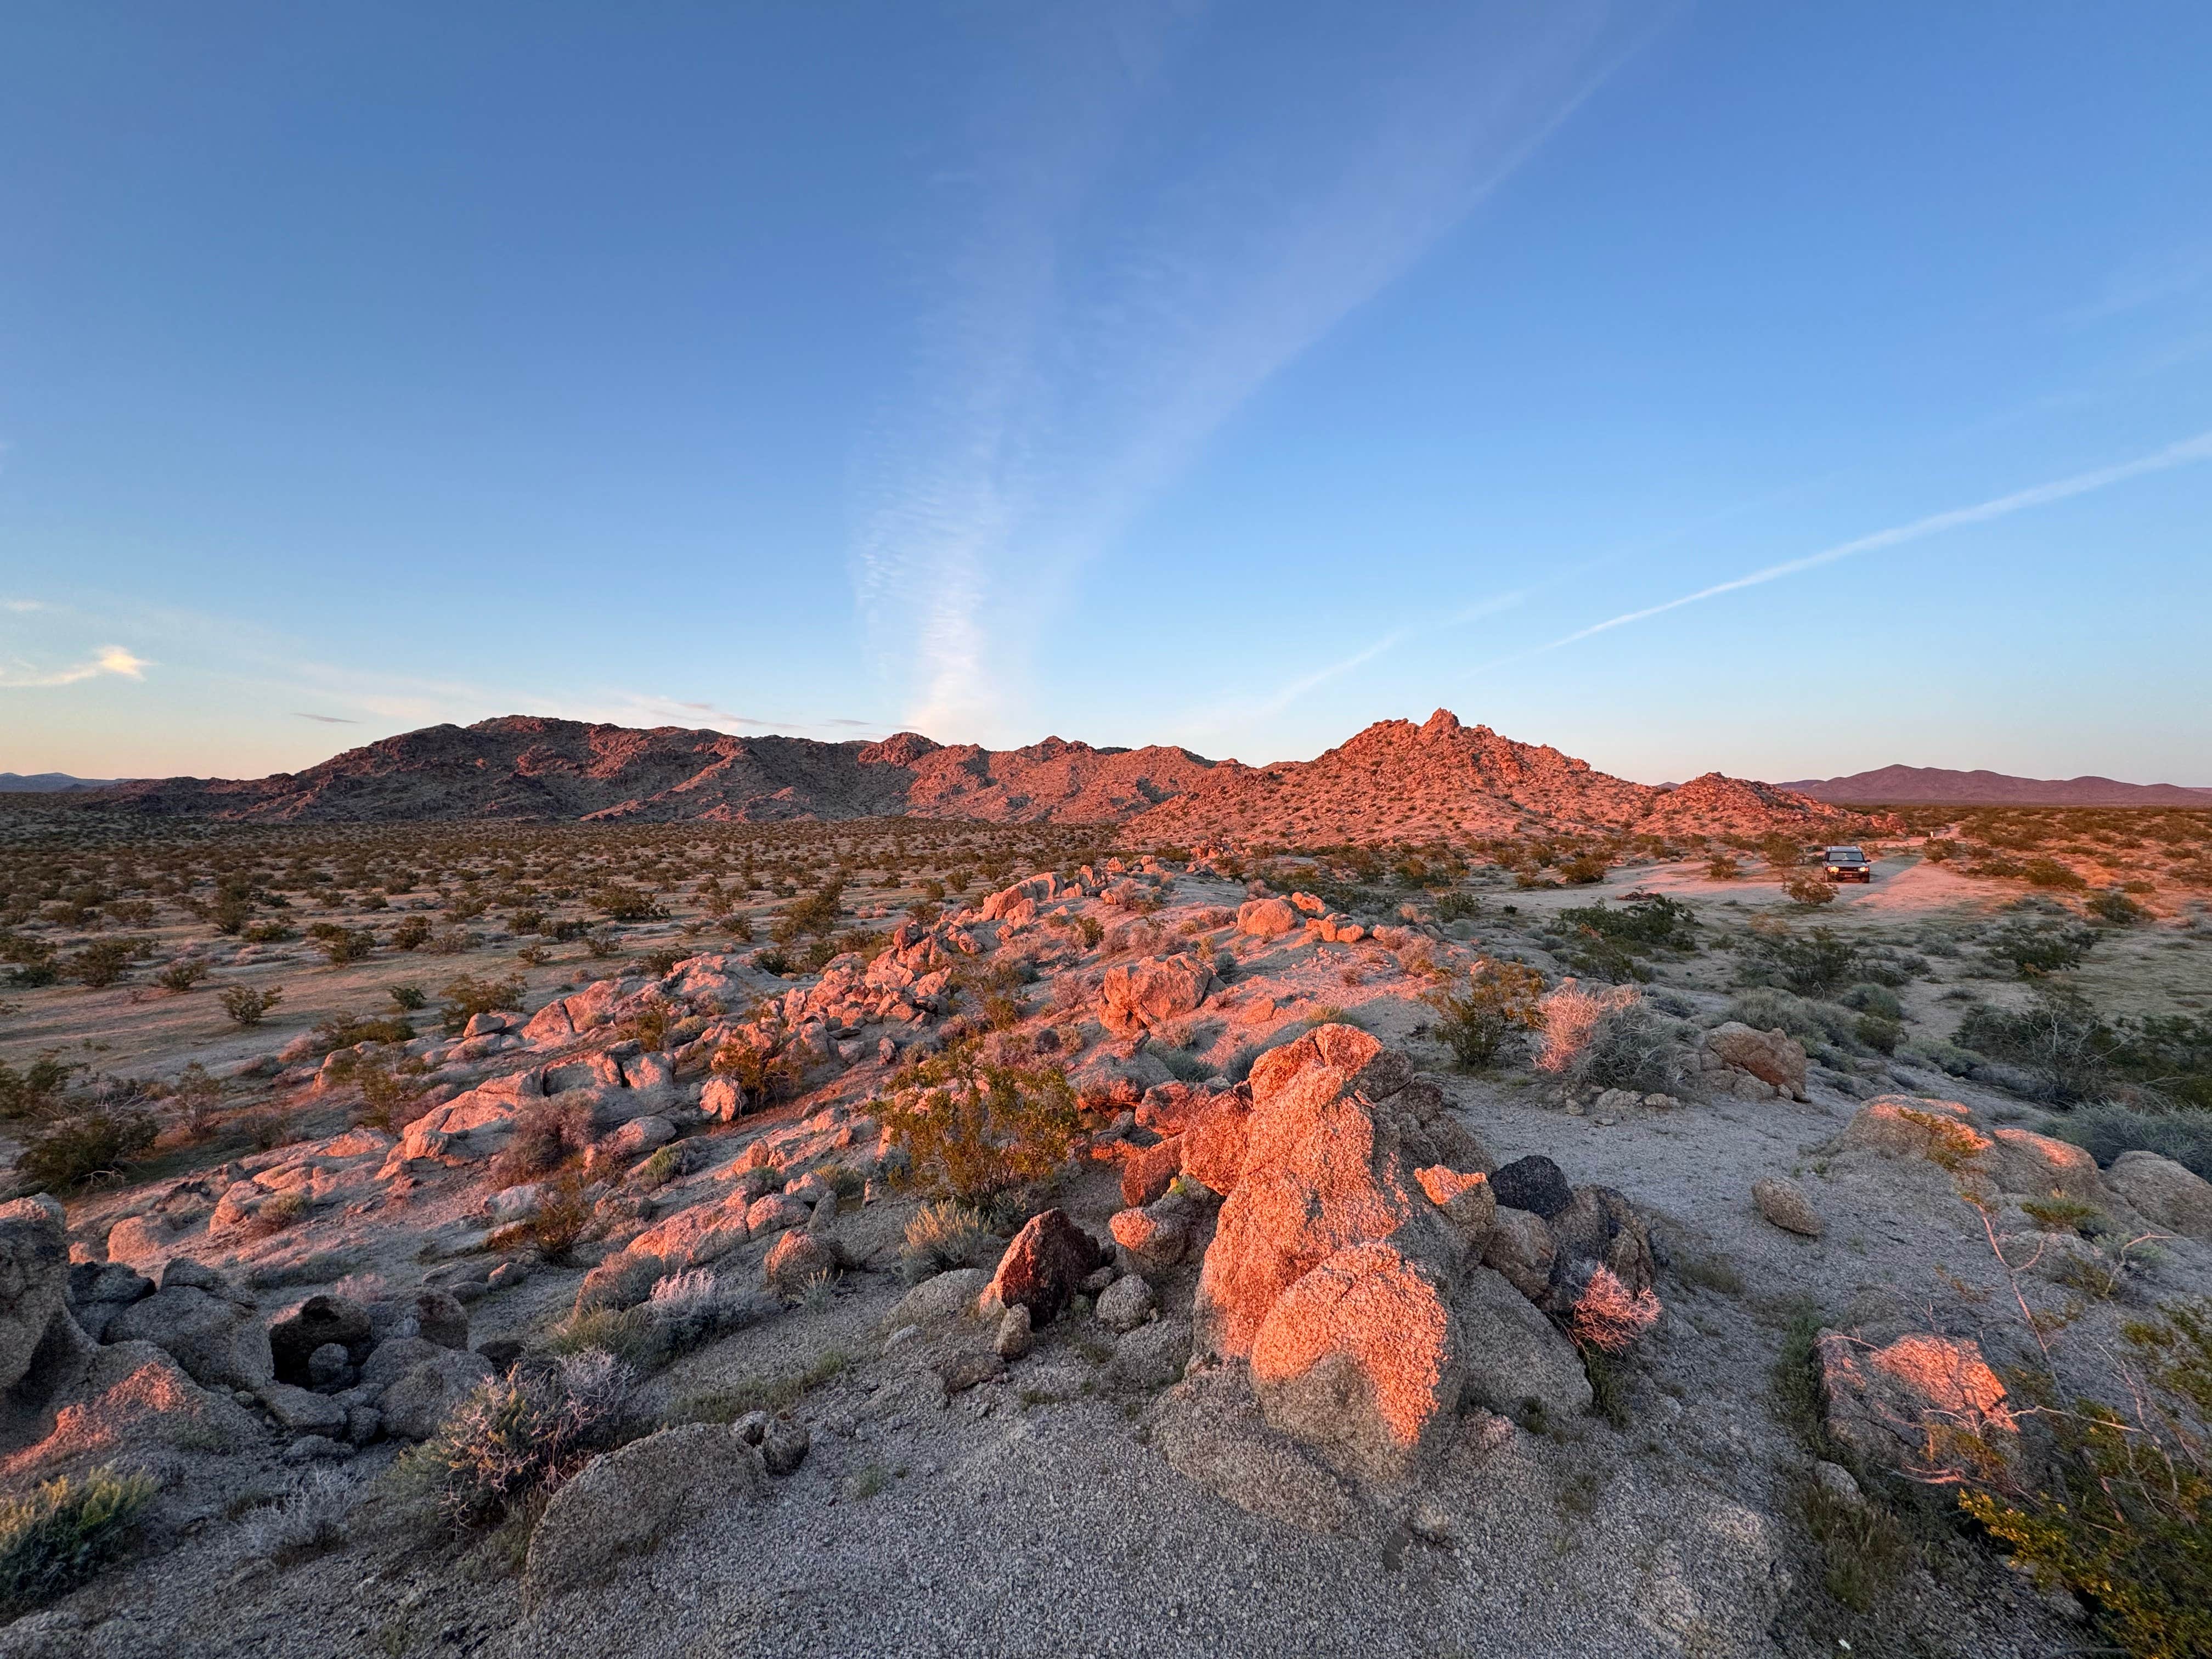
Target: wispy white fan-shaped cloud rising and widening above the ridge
(1096, 331)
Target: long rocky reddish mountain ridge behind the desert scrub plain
(1395, 782)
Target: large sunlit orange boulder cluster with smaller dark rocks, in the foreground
(1370, 1269)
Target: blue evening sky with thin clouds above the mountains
(1227, 375)
